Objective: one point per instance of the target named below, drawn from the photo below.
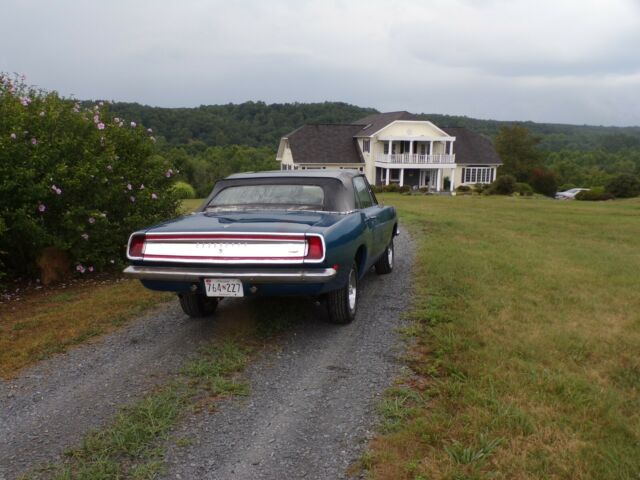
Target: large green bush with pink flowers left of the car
(65, 180)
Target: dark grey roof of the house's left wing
(325, 143)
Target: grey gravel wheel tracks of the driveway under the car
(309, 414)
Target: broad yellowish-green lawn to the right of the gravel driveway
(525, 342)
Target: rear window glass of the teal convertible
(301, 196)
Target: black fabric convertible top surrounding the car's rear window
(337, 184)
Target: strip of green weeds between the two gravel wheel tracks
(132, 447)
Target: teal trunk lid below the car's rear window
(254, 222)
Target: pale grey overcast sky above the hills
(567, 61)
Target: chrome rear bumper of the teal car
(255, 275)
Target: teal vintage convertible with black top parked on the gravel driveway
(312, 232)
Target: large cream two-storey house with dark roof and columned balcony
(394, 147)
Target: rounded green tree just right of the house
(519, 152)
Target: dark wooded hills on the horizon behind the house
(258, 124)
